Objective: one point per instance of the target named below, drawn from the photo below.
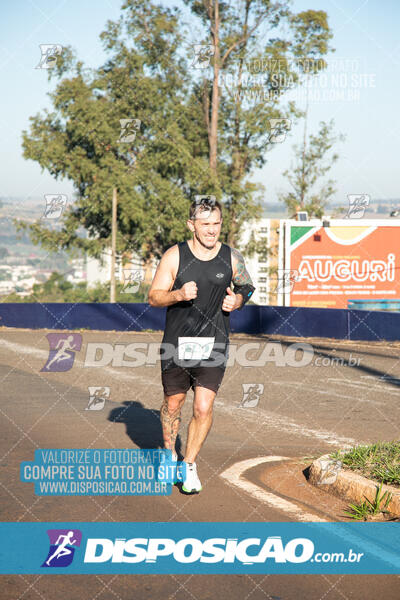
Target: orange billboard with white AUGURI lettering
(326, 266)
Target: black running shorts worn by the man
(178, 379)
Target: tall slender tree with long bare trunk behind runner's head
(238, 101)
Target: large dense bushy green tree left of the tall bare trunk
(154, 171)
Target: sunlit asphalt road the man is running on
(345, 393)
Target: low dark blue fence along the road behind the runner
(269, 320)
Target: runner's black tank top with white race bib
(197, 331)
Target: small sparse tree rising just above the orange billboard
(312, 163)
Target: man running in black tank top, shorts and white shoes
(193, 280)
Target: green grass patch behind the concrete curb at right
(380, 461)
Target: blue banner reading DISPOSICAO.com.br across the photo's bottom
(208, 548)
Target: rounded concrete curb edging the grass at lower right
(326, 473)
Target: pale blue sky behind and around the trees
(360, 91)
